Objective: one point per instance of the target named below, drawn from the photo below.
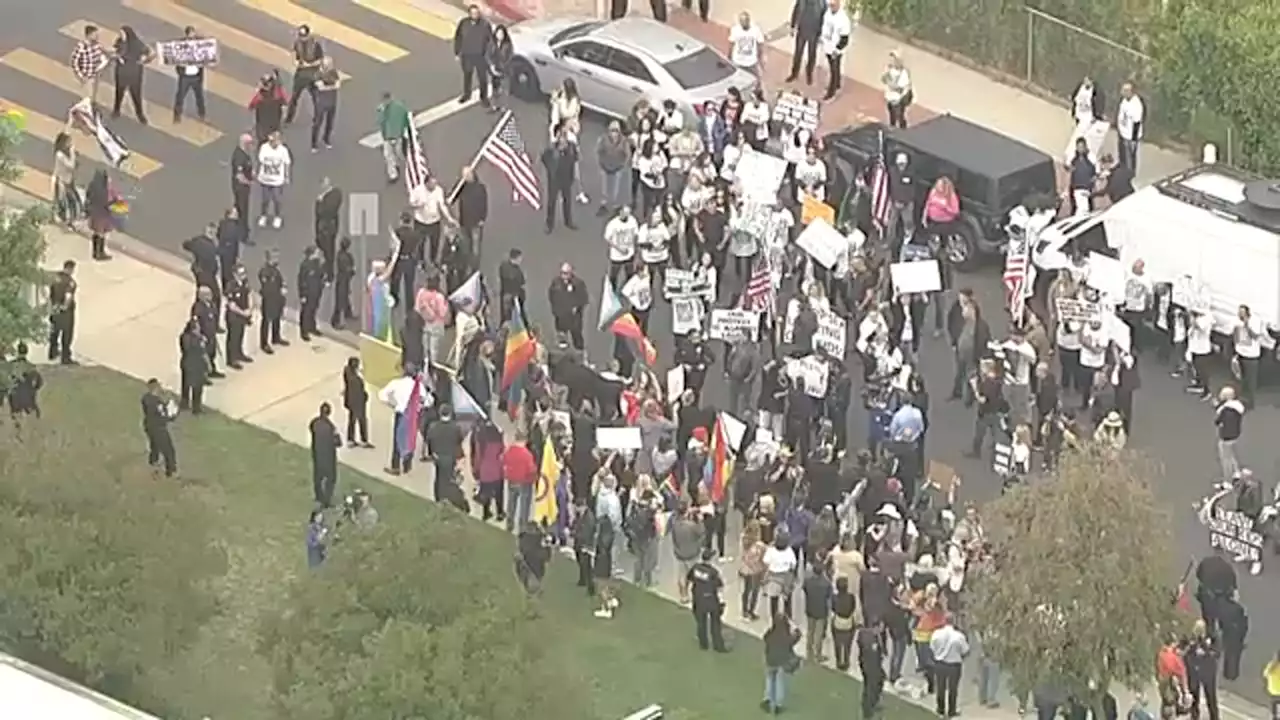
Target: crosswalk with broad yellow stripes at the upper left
(38, 84)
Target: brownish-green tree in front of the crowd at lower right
(1078, 593)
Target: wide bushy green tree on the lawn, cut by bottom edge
(415, 623)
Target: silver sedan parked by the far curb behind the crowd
(616, 63)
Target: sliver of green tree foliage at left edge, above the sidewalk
(22, 250)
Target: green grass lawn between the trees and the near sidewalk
(259, 489)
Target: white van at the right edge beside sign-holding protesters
(1212, 231)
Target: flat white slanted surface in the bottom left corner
(29, 692)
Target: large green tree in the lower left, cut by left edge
(107, 573)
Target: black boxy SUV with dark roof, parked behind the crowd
(993, 175)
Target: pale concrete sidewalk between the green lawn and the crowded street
(130, 317)
